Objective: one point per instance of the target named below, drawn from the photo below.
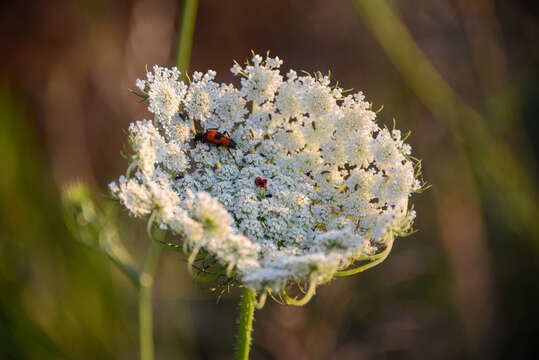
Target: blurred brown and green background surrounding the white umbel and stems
(462, 75)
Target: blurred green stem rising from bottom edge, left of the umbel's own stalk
(145, 302)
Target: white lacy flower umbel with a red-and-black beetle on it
(313, 186)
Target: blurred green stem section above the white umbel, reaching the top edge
(185, 37)
